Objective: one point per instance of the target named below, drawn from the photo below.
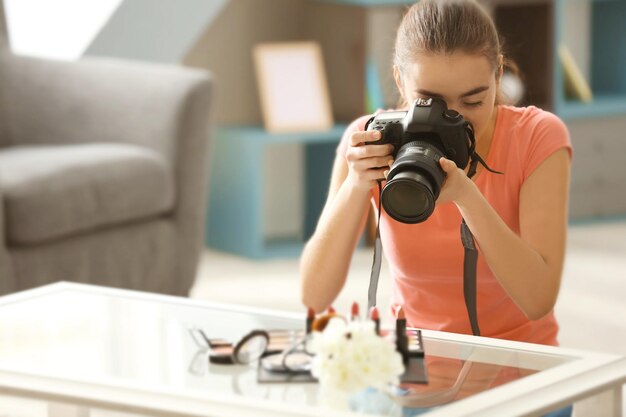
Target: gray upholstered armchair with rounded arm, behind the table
(103, 173)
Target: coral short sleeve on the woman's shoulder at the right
(548, 136)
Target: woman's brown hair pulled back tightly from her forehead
(447, 26)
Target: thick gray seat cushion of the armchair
(71, 189)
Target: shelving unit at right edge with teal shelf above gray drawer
(595, 31)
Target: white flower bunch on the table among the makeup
(351, 357)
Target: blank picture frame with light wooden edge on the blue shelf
(292, 87)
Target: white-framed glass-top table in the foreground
(95, 350)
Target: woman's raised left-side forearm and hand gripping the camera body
(326, 257)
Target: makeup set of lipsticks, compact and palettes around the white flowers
(283, 354)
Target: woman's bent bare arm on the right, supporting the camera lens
(528, 266)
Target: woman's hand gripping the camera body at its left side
(367, 163)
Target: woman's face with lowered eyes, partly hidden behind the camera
(467, 83)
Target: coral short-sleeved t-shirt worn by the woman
(426, 259)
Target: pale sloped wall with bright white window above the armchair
(151, 30)
